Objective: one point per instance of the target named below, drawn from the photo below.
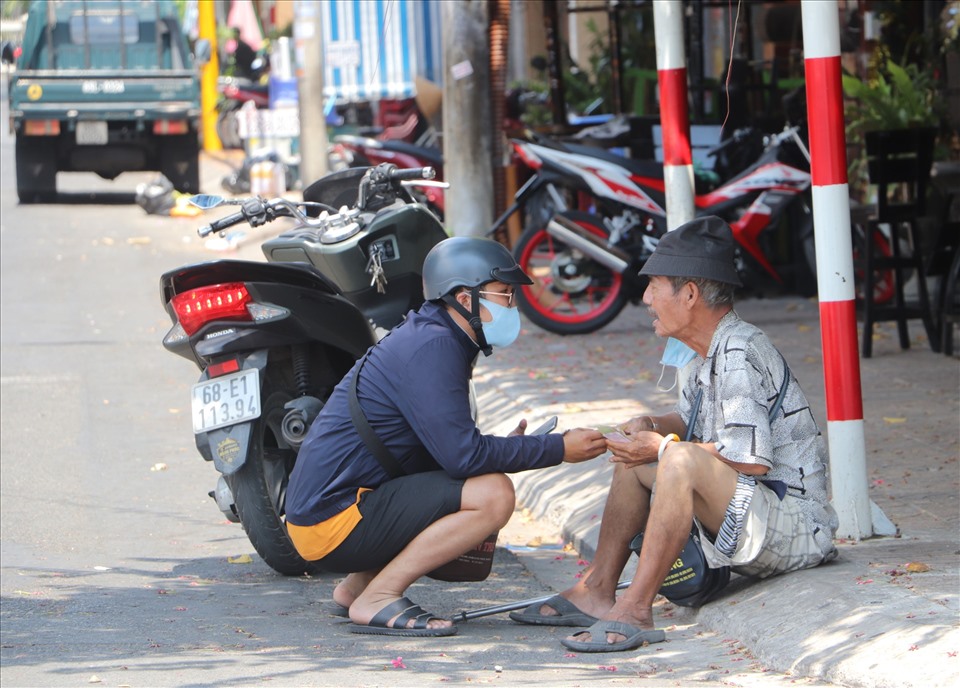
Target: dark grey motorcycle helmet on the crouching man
(468, 262)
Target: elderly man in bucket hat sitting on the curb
(754, 485)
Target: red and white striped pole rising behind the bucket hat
(674, 116)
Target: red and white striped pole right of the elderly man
(831, 219)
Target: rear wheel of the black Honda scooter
(259, 489)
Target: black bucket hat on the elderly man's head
(701, 248)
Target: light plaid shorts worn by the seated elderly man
(775, 538)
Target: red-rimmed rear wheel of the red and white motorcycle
(570, 294)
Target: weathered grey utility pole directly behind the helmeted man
(467, 129)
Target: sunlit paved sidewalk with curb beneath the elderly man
(885, 613)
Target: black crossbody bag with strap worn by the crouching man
(471, 566)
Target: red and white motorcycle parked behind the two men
(585, 264)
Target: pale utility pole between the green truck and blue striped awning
(308, 42)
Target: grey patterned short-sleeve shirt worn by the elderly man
(741, 379)
